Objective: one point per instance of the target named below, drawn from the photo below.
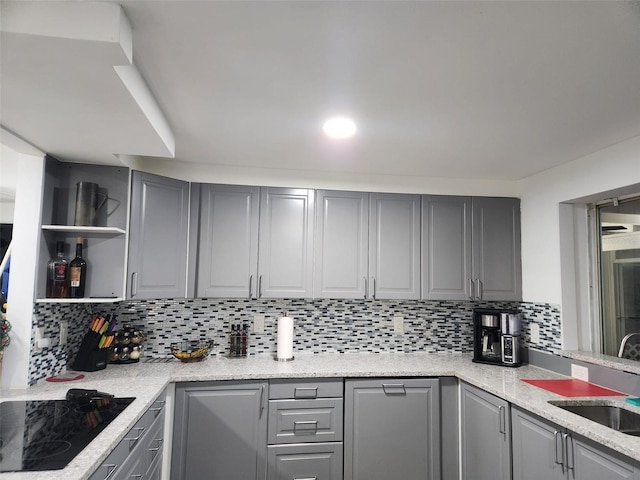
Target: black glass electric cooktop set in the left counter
(47, 434)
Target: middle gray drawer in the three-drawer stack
(297, 421)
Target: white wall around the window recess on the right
(545, 249)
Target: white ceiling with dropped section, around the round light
(456, 89)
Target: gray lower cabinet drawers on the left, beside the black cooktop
(139, 454)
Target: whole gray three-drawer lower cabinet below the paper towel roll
(305, 429)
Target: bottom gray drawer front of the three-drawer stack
(318, 461)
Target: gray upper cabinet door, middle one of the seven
(341, 265)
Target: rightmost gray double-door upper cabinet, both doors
(471, 248)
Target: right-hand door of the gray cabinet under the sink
(591, 462)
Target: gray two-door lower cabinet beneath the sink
(542, 449)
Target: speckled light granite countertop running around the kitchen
(146, 381)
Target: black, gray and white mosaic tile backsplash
(321, 326)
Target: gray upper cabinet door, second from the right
(446, 247)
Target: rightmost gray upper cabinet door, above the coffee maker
(496, 248)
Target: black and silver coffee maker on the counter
(496, 336)
